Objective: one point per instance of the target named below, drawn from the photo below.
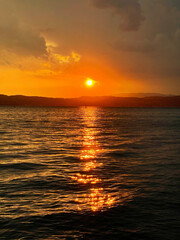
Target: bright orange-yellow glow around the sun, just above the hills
(62, 75)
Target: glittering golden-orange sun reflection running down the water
(96, 198)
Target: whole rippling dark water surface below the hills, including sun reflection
(89, 173)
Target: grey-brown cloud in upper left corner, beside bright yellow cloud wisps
(18, 37)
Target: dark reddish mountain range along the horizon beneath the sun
(152, 101)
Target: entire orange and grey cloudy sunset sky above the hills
(51, 47)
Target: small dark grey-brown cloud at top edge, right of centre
(129, 10)
